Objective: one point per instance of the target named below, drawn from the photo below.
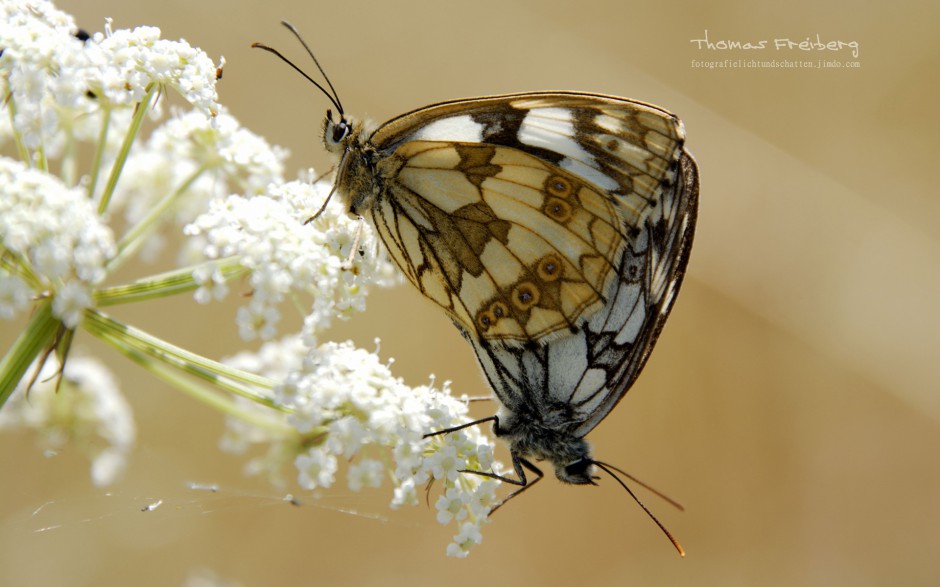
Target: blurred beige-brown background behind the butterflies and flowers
(792, 403)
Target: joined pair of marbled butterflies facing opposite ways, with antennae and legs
(553, 228)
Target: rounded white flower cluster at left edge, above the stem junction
(56, 239)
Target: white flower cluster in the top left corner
(55, 81)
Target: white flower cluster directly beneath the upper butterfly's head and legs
(286, 255)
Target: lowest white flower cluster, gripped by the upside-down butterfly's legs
(346, 406)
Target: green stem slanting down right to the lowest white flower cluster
(126, 339)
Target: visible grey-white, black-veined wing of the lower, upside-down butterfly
(571, 383)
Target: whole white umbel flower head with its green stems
(322, 411)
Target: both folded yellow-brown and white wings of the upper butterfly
(513, 212)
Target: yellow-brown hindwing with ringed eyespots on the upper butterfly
(523, 248)
